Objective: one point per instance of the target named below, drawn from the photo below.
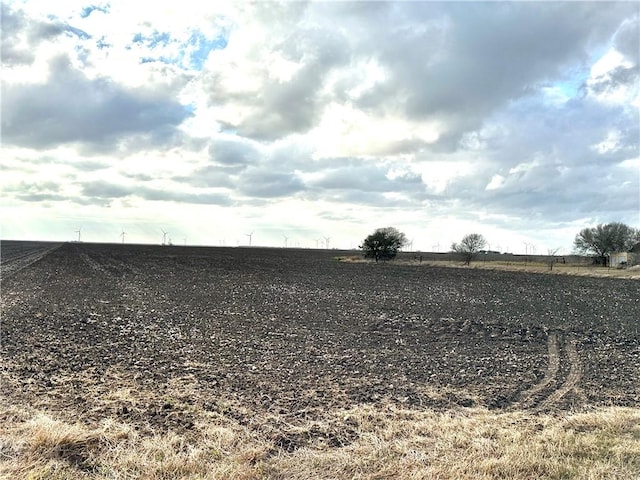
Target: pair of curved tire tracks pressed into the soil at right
(552, 388)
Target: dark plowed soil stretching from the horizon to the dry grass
(246, 331)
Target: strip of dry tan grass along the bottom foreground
(389, 443)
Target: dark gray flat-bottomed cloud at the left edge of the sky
(70, 108)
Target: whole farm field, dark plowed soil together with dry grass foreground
(284, 359)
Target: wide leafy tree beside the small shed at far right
(605, 239)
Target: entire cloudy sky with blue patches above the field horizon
(213, 120)
